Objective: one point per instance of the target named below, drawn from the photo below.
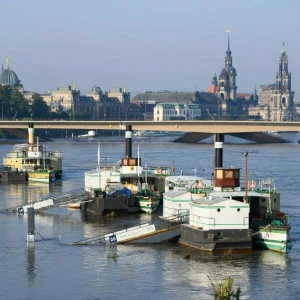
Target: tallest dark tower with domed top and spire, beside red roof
(227, 78)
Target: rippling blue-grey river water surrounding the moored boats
(54, 269)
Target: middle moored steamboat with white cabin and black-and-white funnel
(128, 173)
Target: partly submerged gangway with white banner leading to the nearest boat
(160, 230)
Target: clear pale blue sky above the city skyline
(147, 45)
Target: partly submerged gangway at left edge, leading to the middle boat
(75, 196)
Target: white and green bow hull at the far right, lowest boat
(272, 239)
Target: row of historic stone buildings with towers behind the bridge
(220, 101)
